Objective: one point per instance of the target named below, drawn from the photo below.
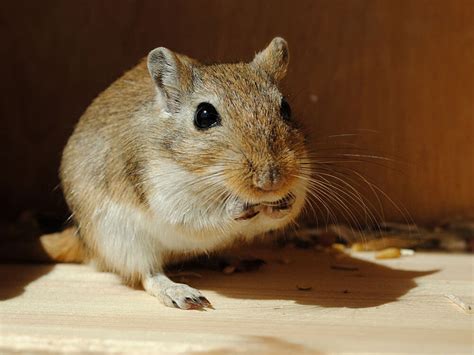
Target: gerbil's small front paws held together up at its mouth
(274, 209)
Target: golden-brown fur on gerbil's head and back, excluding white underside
(119, 137)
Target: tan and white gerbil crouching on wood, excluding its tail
(178, 158)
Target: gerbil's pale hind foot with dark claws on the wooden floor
(174, 294)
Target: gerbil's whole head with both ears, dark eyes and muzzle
(230, 131)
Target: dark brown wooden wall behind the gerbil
(400, 73)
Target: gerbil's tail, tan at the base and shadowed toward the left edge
(64, 246)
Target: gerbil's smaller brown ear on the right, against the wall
(274, 59)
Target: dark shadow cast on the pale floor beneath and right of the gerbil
(333, 281)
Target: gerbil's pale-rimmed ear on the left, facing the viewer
(172, 74)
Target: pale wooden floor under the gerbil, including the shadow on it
(395, 305)
